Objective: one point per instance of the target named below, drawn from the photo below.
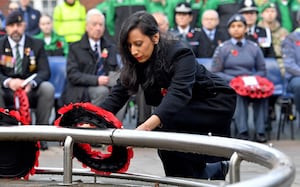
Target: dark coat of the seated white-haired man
(81, 68)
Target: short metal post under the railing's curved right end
(234, 168)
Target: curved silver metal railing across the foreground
(281, 173)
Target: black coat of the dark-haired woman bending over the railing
(196, 101)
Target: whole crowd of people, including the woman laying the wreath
(149, 48)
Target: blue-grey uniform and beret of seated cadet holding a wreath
(230, 61)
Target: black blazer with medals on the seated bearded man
(33, 48)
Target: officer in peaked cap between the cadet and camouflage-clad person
(257, 34)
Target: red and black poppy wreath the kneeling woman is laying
(86, 115)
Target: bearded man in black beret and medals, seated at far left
(21, 57)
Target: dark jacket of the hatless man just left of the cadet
(207, 47)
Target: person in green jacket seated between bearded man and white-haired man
(55, 45)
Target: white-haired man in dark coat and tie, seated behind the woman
(90, 62)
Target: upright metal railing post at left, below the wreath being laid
(68, 164)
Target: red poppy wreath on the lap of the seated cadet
(263, 89)
